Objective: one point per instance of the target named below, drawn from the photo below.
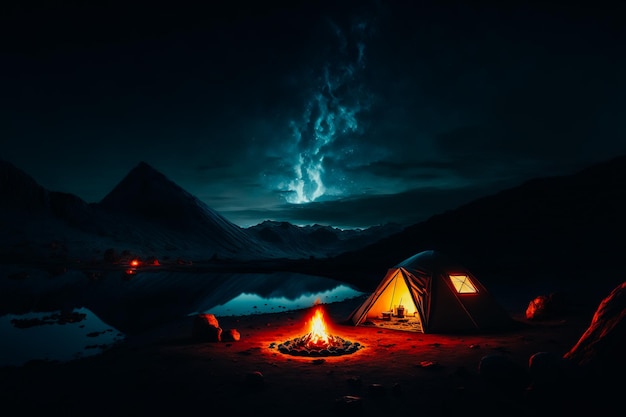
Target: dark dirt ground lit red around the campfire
(394, 373)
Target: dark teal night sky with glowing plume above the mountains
(349, 114)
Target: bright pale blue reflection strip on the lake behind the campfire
(248, 303)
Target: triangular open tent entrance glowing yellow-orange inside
(395, 307)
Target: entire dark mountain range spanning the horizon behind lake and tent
(545, 228)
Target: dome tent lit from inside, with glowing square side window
(428, 293)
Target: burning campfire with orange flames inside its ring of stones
(318, 341)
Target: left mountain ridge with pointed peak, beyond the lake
(150, 215)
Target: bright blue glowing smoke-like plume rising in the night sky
(329, 120)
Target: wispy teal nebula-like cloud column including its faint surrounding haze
(333, 101)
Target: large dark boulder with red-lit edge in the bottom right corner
(584, 378)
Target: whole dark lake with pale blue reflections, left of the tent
(77, 315)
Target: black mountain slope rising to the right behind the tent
(569, 227)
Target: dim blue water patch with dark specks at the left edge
(53, 336)
